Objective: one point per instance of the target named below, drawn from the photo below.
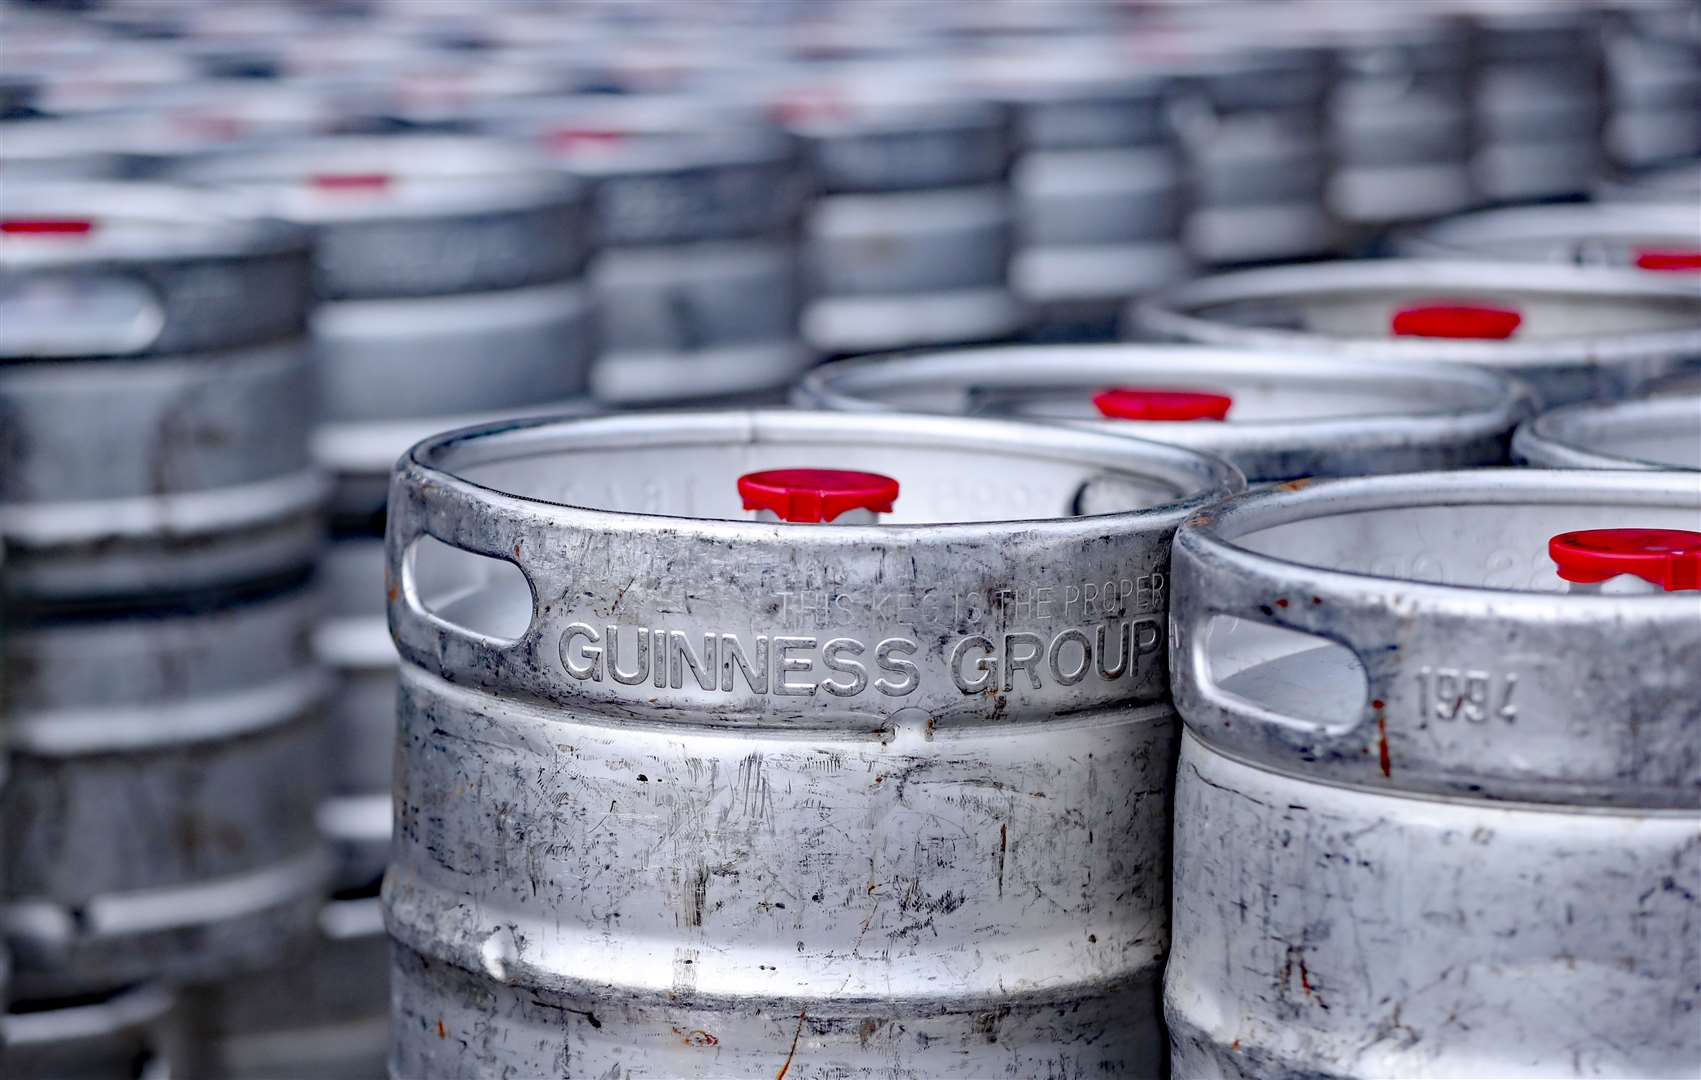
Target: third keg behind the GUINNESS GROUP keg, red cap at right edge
(1649, 237)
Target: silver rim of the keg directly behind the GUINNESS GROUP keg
(1491, 402)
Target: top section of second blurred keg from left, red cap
(418, 215)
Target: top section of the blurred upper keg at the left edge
(128, 270)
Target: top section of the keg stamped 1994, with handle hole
(1414, 634)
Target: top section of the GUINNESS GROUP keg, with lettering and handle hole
(632, 526)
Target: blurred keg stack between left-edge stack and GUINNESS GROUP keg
(452, 275)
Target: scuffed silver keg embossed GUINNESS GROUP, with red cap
(690, 795)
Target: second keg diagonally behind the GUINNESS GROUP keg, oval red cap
(1571, 333)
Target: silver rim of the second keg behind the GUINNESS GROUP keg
(1171, 315)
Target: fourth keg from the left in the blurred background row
(911, 237)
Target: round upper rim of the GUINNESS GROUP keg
(435, 463)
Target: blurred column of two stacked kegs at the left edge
(161, 526)
